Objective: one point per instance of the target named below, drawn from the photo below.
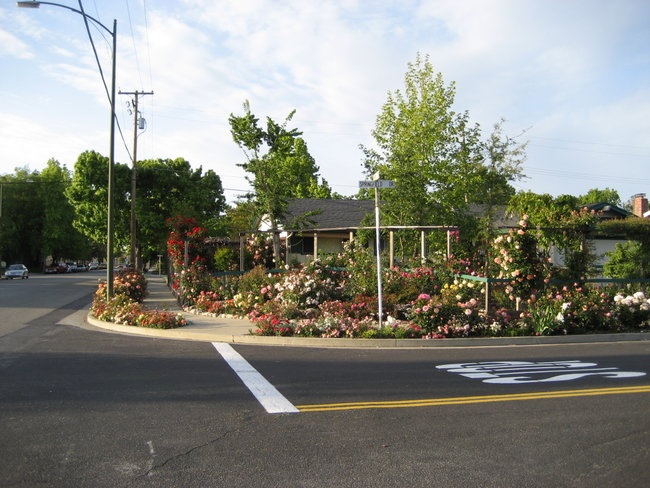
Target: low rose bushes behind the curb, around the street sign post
(316, 301)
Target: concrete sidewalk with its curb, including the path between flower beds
(219, 329)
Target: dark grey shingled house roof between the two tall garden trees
(322, 213)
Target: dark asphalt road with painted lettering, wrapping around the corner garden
(81, 407)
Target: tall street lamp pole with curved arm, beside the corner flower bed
(111, 157)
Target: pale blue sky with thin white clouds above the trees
(570, 77)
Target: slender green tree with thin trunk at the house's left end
(279, 165)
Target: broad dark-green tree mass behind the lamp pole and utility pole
(166, 188)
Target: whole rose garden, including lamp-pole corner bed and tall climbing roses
(336, 296)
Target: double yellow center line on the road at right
(430, 402)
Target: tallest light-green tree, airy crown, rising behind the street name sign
(435, 156)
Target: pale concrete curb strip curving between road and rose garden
(212, 335)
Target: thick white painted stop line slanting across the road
(270, 398)
